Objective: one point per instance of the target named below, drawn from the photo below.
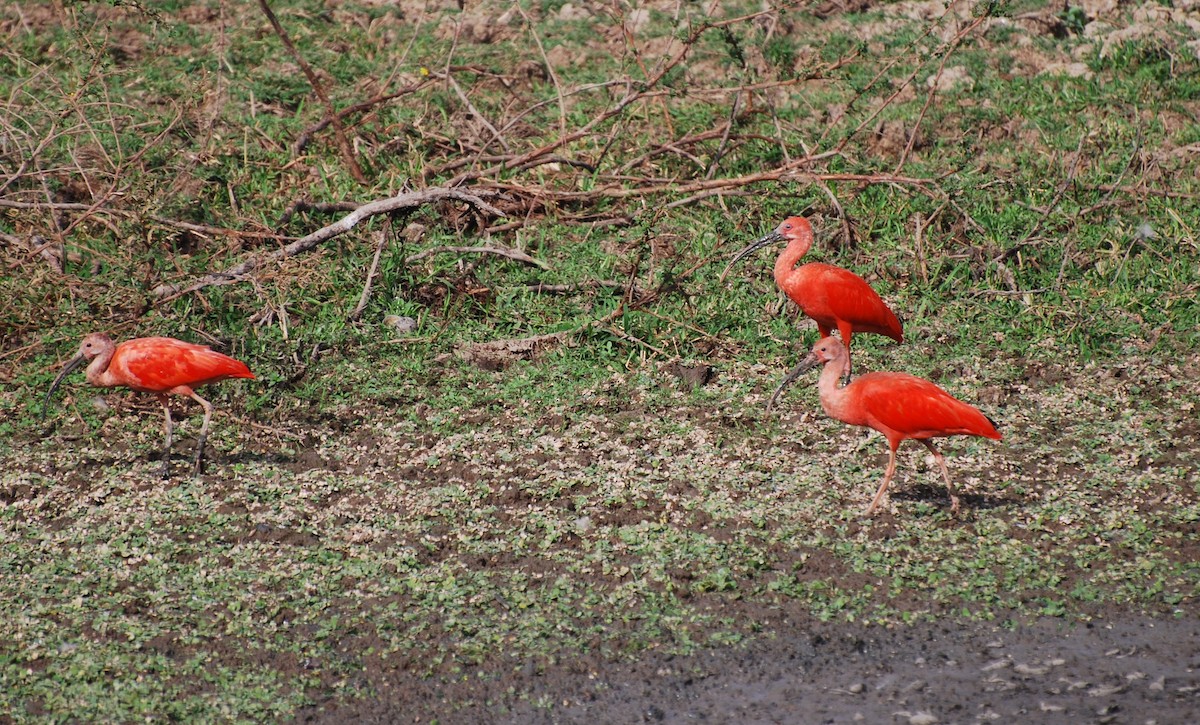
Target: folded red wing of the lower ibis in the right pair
(919, 409)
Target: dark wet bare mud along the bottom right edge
(1119, 670)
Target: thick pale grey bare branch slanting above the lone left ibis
(398, 203)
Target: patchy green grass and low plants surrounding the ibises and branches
(388, 506)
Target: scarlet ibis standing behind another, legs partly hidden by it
(831, 296)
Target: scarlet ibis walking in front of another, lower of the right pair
(898, 405)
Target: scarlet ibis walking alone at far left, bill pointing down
(160, 366)
